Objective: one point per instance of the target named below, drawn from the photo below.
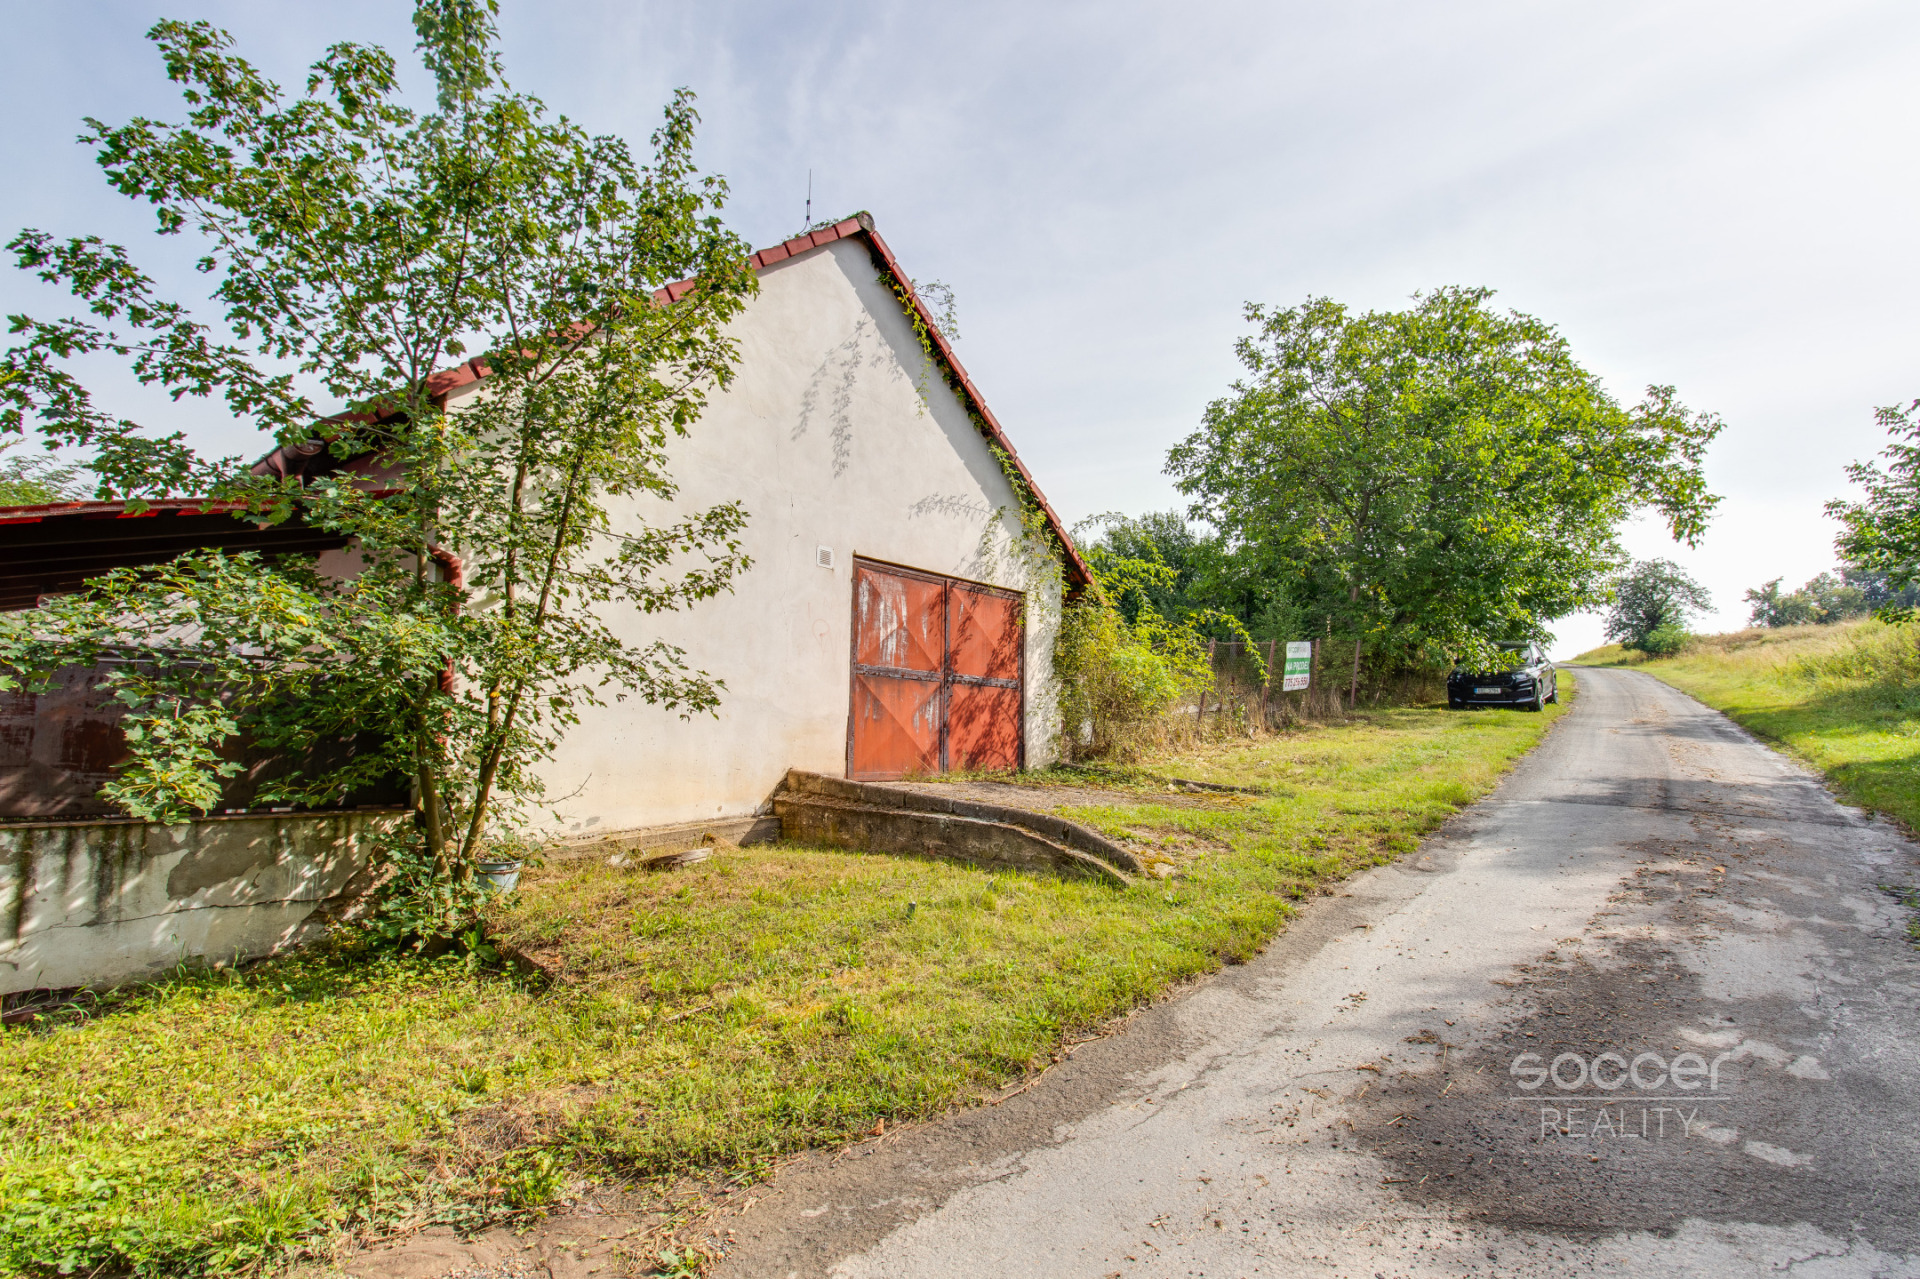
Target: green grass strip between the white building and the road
(698, 1023)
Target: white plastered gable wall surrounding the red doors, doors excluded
(834, 435)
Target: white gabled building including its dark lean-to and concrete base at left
(894, 621)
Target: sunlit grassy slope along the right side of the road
(1844, 698)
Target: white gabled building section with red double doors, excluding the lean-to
(894, 621)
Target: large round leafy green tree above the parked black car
(1435, 479)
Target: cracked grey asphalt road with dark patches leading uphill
(1646, 1009)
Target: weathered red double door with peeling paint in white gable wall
(938, 671)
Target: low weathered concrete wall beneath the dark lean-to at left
(99, 904)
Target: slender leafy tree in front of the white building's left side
(356, 247)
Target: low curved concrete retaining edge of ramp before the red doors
(873, 817)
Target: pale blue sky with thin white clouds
(1716, 197)
